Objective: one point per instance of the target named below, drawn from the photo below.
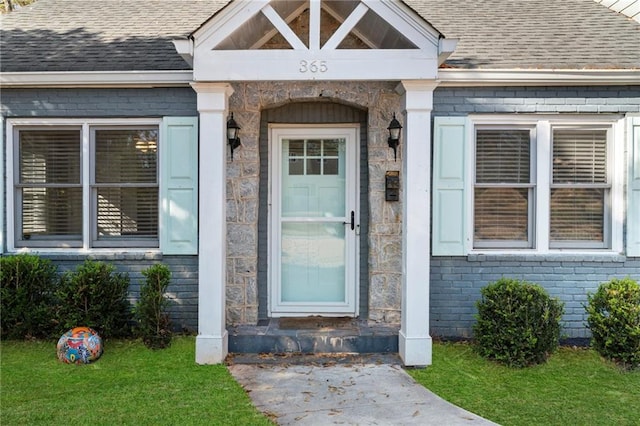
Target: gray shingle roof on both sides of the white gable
(119, 35)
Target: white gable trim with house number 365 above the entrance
(238, 62)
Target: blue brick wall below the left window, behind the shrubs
(182, 291)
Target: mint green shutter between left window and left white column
(179, 185)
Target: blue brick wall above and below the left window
(121, 103)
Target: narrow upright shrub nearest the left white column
(154, 326)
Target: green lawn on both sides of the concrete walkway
(131, 384)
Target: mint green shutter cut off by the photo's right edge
(633, 191)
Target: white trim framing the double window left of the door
(85, 123)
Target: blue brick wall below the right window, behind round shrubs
(456, 284)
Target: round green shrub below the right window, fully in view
(518, 323)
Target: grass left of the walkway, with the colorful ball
(130, 384)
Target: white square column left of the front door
(212, 340)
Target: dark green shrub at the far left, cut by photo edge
(27, 286)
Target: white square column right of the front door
(414, 340)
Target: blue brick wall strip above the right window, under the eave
(606, 99)
